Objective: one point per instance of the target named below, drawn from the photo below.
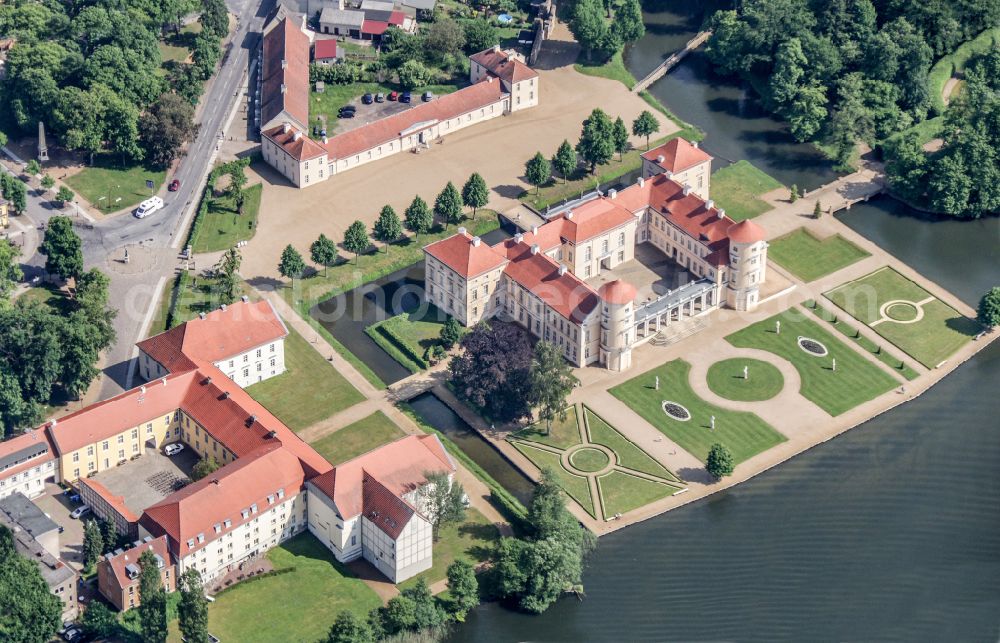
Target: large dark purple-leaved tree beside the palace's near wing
(493, 370)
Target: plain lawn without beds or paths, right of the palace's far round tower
(809, 258)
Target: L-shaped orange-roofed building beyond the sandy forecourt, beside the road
(501, 83)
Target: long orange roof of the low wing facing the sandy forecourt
(380, 132)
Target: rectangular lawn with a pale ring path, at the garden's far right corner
(931, 340)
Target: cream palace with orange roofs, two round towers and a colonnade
(541, 278)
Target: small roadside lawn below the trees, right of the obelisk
(107, 177)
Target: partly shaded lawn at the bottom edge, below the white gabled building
(300, 605)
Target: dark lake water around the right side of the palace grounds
(888, 532)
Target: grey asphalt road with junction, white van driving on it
(154, 242)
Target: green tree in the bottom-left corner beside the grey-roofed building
(31, 613)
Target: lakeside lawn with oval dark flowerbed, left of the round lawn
(745, 434)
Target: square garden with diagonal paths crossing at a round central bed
(598, 467)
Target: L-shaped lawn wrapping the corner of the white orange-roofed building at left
(310, 389)
